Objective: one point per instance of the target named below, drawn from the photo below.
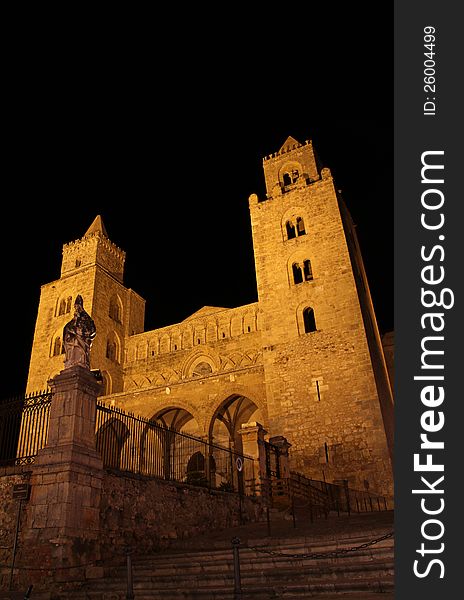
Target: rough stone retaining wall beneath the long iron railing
(147, 514)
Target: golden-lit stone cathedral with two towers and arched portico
(305, 361)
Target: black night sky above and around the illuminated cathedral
(167, 146)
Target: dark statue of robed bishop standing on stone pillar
(78, 336)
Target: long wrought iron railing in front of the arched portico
(138, 445)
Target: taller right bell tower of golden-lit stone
(326, 381)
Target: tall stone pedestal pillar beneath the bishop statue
(64, 508)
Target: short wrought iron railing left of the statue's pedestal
(23, 428)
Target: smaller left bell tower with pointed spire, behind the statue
(92, 267)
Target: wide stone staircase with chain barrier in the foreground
(202, 568)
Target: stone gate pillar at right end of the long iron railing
(253, 445)
